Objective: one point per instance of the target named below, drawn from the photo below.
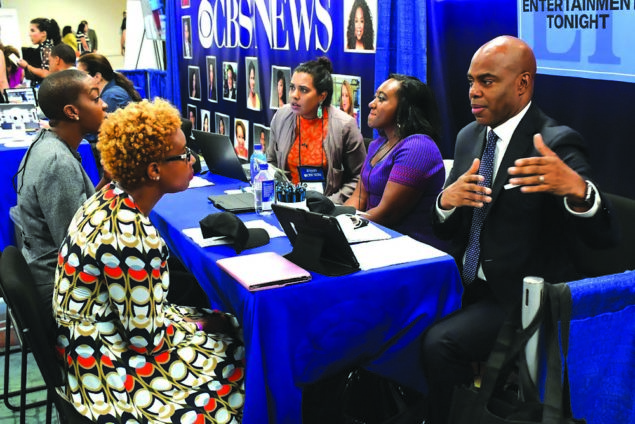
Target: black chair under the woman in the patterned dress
(36, 331)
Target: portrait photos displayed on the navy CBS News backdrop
(218, 80)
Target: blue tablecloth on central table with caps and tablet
(298, 334)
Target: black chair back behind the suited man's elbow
(595, 262)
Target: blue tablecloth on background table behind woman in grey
(10, 158)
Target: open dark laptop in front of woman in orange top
(219, 154)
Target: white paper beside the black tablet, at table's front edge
(398, 250)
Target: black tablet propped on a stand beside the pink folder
(319, 244)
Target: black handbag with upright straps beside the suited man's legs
(493, 403)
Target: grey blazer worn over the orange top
(343, 146)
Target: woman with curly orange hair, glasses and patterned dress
(131, 355)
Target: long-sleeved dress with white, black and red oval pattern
(130, 356)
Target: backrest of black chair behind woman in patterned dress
(34, 326)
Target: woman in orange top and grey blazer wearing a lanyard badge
(314, 141)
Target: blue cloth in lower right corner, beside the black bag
(602, 349)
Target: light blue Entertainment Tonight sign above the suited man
(581, 38)
